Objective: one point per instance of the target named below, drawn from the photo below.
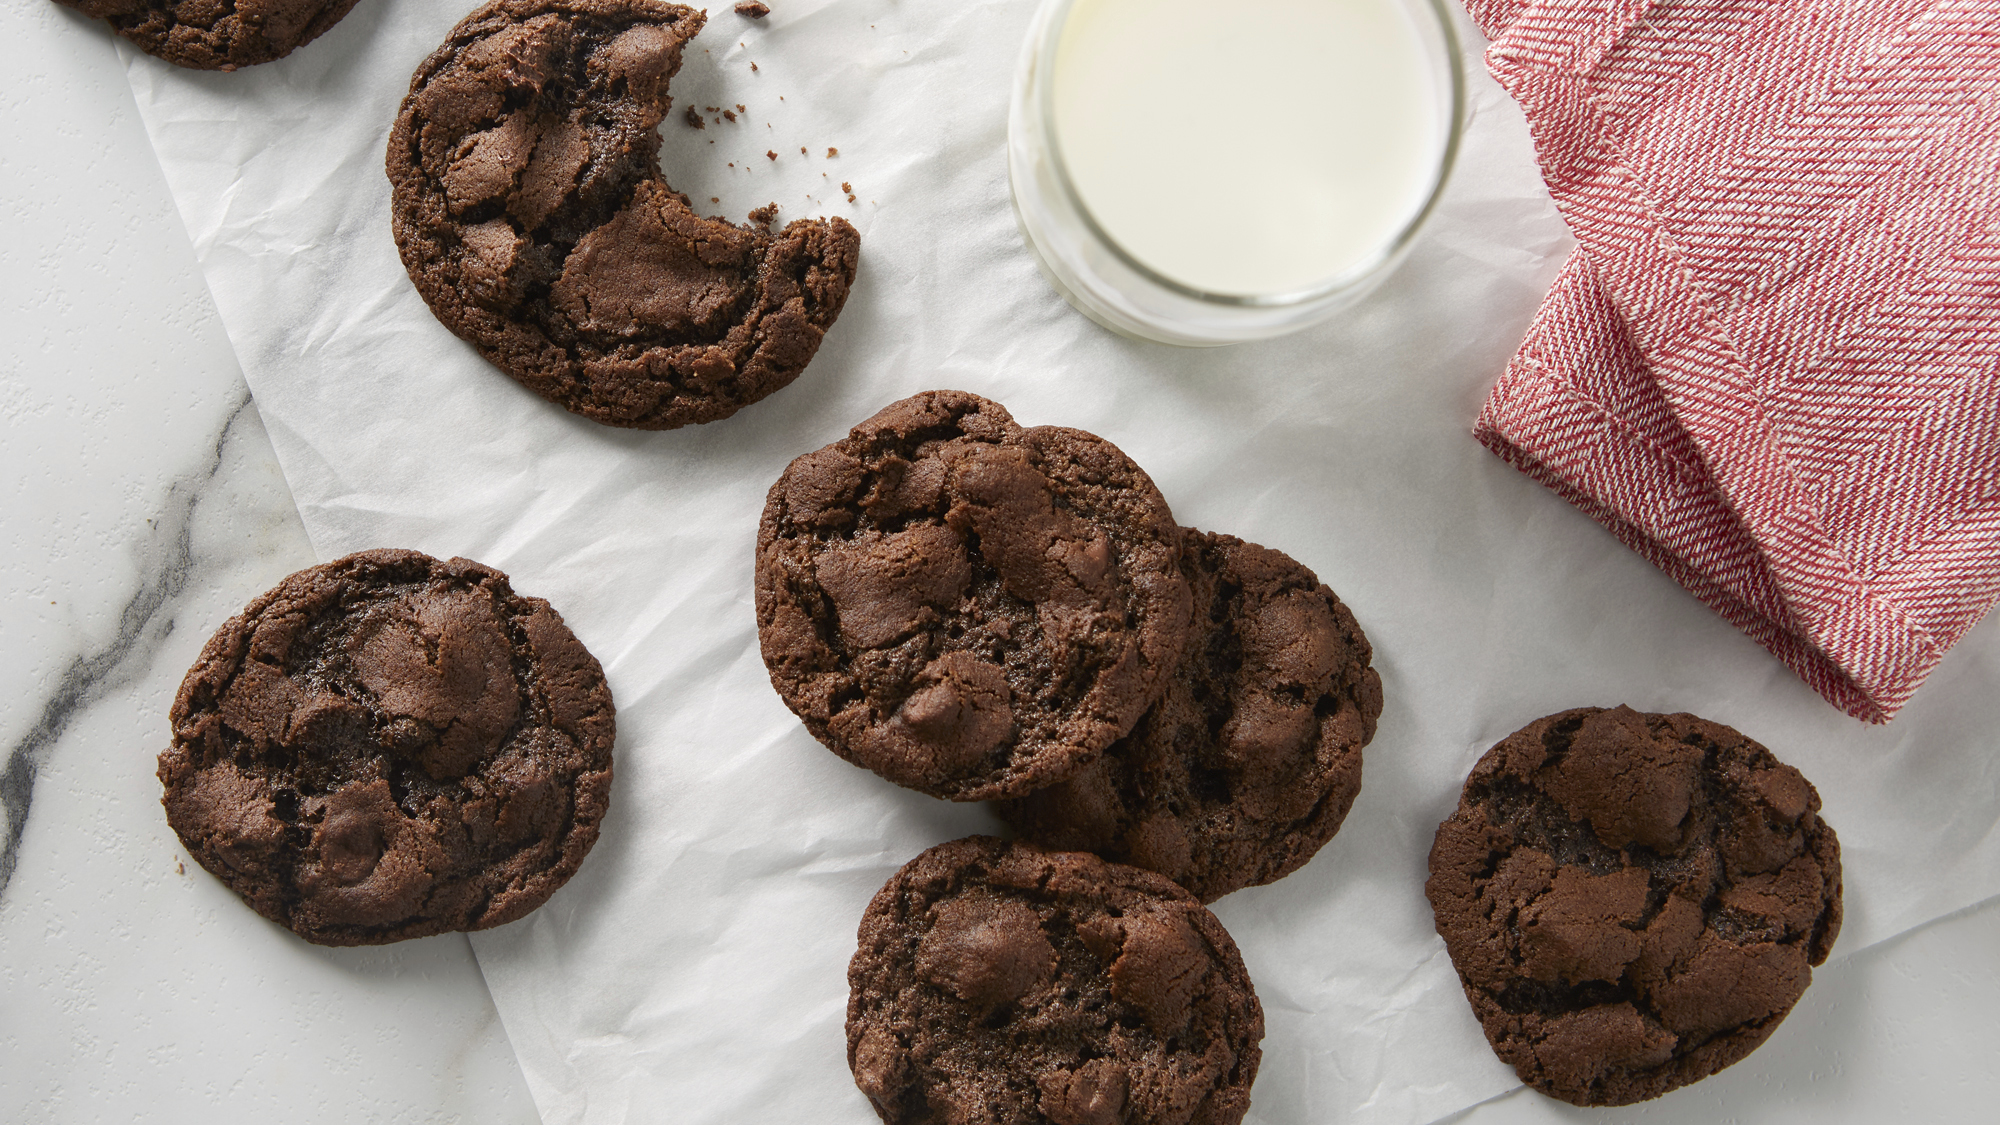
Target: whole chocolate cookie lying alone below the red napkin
(1633, 902)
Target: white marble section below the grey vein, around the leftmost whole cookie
(151, 990)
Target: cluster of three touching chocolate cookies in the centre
(985, 612)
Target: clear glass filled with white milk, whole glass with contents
(1219, 171)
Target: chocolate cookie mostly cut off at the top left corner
(211, 35)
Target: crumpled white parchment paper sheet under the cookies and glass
(695, 968)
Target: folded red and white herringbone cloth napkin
(1773, 367)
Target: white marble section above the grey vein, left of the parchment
(111, 343)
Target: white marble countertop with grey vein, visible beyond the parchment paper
(145, 507)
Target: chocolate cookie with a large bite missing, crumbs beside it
(533, 217)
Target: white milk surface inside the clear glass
(1249, 149)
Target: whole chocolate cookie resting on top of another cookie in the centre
(963, 606)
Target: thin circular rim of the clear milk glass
(1041, 97)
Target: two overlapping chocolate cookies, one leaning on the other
(985, 612)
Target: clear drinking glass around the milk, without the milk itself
(1117, 287)
